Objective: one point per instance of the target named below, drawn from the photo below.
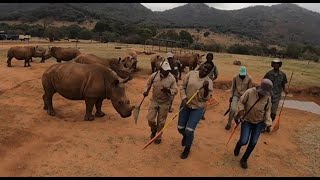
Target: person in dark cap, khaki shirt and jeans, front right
(254, 110)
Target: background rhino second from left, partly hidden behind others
(63, 54)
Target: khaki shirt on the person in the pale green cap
(240, 86)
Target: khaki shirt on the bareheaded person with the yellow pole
(190, 84)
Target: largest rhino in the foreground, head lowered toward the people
(89, 82)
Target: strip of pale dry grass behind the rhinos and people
(305, 75)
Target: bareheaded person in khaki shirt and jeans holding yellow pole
(191, 114)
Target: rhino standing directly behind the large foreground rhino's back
(112, 63)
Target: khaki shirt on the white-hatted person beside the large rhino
(158, 84)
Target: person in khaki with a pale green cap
(240, 83)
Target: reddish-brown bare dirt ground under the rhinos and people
(33, 143)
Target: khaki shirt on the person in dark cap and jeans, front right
(260, 112)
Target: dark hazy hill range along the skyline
(278, 24)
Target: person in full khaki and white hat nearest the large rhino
(164, 89)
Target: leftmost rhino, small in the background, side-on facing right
(23, 53)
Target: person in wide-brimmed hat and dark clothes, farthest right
(279, 80)
